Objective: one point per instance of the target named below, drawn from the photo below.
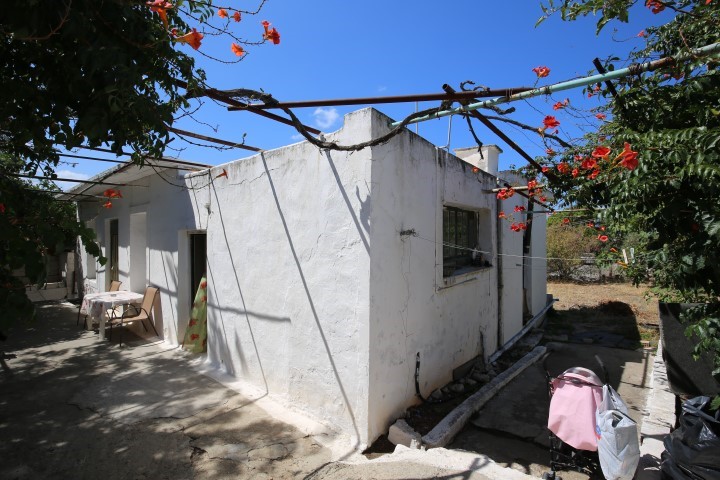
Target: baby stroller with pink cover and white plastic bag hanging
(586, 412)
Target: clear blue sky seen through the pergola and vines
(334, 49)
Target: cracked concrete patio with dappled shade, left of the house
(72, 406)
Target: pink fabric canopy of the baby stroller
(575, 397)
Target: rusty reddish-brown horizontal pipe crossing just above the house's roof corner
(421, 97)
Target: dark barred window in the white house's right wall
(461, 229)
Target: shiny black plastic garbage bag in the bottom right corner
(692, 451)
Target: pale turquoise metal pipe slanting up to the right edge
(579, 82)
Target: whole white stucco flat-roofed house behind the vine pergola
(329, 272)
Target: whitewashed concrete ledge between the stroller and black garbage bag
(658, 419)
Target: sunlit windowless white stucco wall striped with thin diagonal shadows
(288, 274)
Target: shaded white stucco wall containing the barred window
(412, 308)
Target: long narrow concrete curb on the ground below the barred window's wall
(445, 431)
